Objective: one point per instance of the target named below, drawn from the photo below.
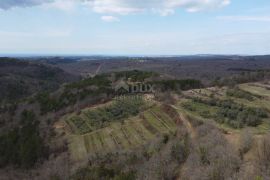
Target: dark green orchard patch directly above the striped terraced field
(120, 109)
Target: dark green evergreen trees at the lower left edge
(22, 146)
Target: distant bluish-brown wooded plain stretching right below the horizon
(206, 68)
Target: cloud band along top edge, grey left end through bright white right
(124, 7)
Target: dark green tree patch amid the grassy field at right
(227, 112)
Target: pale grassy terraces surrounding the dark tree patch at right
(253, 95)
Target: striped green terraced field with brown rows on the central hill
(130, 133)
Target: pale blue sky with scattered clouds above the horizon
(135, 27)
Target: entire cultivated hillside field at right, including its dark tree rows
(253, 97)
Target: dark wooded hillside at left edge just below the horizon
(19, 78)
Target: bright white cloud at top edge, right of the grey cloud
(162, 7)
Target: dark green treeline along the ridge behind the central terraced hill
(102, 85)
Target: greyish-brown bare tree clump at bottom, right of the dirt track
(211, 157)
